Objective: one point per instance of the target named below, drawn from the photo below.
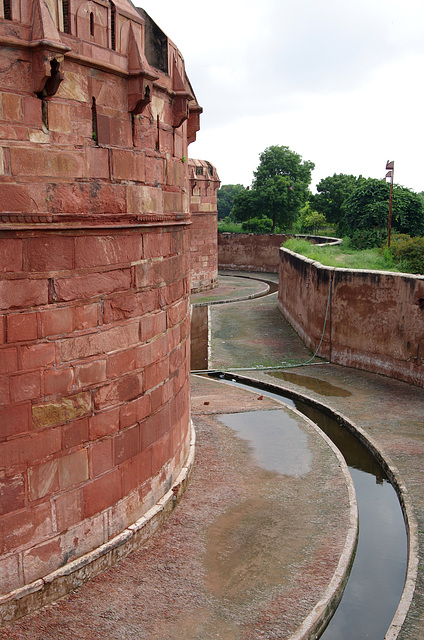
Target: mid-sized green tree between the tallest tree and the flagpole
(331, 193)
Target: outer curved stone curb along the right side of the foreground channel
(405, 501)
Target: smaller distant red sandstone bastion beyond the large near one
(204, 184)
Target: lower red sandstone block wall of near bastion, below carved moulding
(94, 392)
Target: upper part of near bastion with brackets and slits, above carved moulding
(96, 115)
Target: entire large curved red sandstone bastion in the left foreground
(96, 114)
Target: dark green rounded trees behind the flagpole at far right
(368, 206)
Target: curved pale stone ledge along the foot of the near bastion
(41, 592)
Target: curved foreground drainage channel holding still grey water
(375, 585)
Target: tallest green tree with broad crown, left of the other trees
(280, 188)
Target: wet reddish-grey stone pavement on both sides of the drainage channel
(250, 551)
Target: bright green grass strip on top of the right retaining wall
(344, 256)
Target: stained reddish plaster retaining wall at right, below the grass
(375, 319)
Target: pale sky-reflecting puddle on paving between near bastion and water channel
(277, 442)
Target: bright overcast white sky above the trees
(341, 82)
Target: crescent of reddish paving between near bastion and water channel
(248, 553)
